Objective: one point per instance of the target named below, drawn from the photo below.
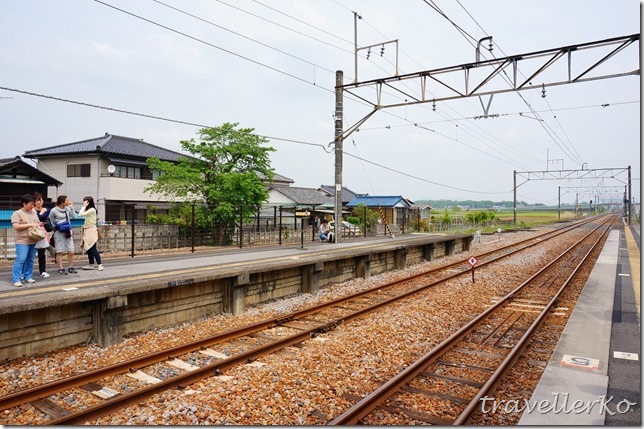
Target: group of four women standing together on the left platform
(58, 235)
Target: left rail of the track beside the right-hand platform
(363, 407)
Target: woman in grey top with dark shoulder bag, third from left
(60, 217)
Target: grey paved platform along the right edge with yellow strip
(593, 376)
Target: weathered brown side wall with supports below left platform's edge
(107, 319)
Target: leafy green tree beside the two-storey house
(225, 171)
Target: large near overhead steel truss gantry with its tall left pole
(479, 78)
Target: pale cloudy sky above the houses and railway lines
(72, 70)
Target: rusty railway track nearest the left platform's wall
(106, 389)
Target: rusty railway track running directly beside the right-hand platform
(446, 385)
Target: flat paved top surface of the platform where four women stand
(125, 271)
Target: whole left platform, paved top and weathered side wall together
(153, 291)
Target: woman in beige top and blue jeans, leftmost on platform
(22, 220)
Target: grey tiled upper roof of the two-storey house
(107, 145)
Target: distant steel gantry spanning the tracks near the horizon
(584, 174)
